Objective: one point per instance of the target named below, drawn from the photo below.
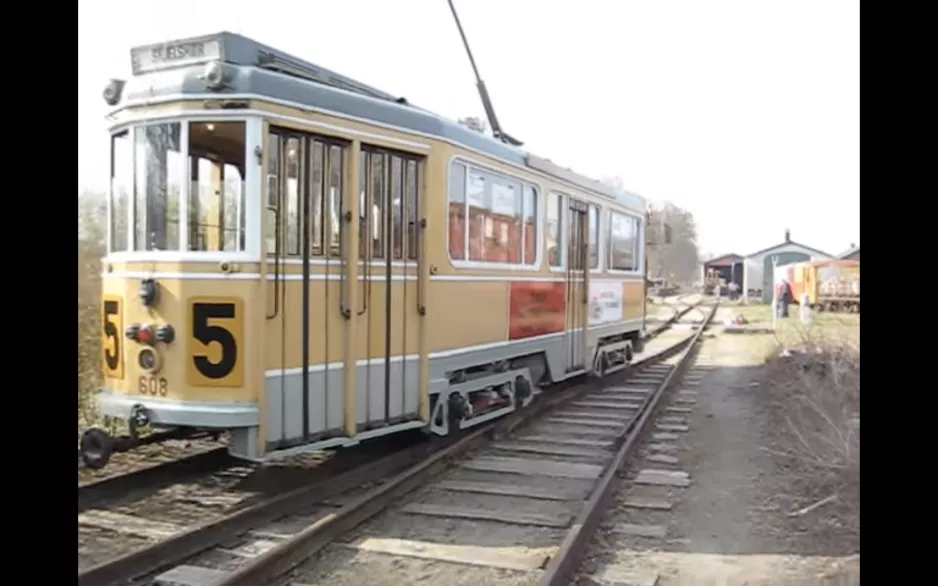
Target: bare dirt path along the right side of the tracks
(741, 520)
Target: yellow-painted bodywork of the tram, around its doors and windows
(464, 306)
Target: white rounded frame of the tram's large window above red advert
(539, 215)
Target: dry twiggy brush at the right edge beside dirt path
(812, 379)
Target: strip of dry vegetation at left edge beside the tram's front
(89, 338)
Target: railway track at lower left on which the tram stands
(122, 535)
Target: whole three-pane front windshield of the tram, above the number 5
(149, 167)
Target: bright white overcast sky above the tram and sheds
(746, 113)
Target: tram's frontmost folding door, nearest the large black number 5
(308, 402)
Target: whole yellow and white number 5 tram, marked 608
(307, 262)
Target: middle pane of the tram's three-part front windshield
(158, 175)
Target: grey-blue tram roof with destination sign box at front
(175, 68)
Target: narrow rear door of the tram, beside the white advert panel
(577, 275)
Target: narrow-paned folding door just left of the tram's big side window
(388, 381)
